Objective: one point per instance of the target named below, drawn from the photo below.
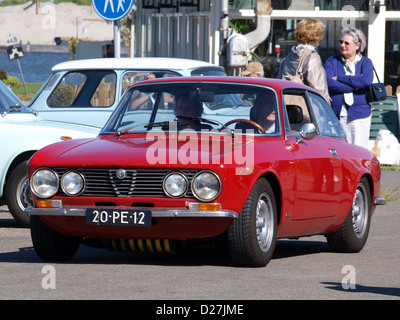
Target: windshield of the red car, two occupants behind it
(198, 106)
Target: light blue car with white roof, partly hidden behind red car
(87, 91)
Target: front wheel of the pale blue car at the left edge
(17, 194)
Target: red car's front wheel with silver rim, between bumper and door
(252, 237)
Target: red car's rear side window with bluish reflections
(325, 119)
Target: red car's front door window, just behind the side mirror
(298, 114)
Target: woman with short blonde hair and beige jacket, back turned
(309, 32)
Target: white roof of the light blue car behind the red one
(136, 63)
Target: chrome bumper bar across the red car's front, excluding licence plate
(155, 212)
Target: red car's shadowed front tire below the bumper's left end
(51, 245)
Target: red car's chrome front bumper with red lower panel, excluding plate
(167, 223)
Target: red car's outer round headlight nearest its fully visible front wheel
(206, 186)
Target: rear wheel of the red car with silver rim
(352, 235)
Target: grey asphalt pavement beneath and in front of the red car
(303, 269)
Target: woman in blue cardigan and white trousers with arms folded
(349, 74)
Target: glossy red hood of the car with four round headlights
(144, 151)
